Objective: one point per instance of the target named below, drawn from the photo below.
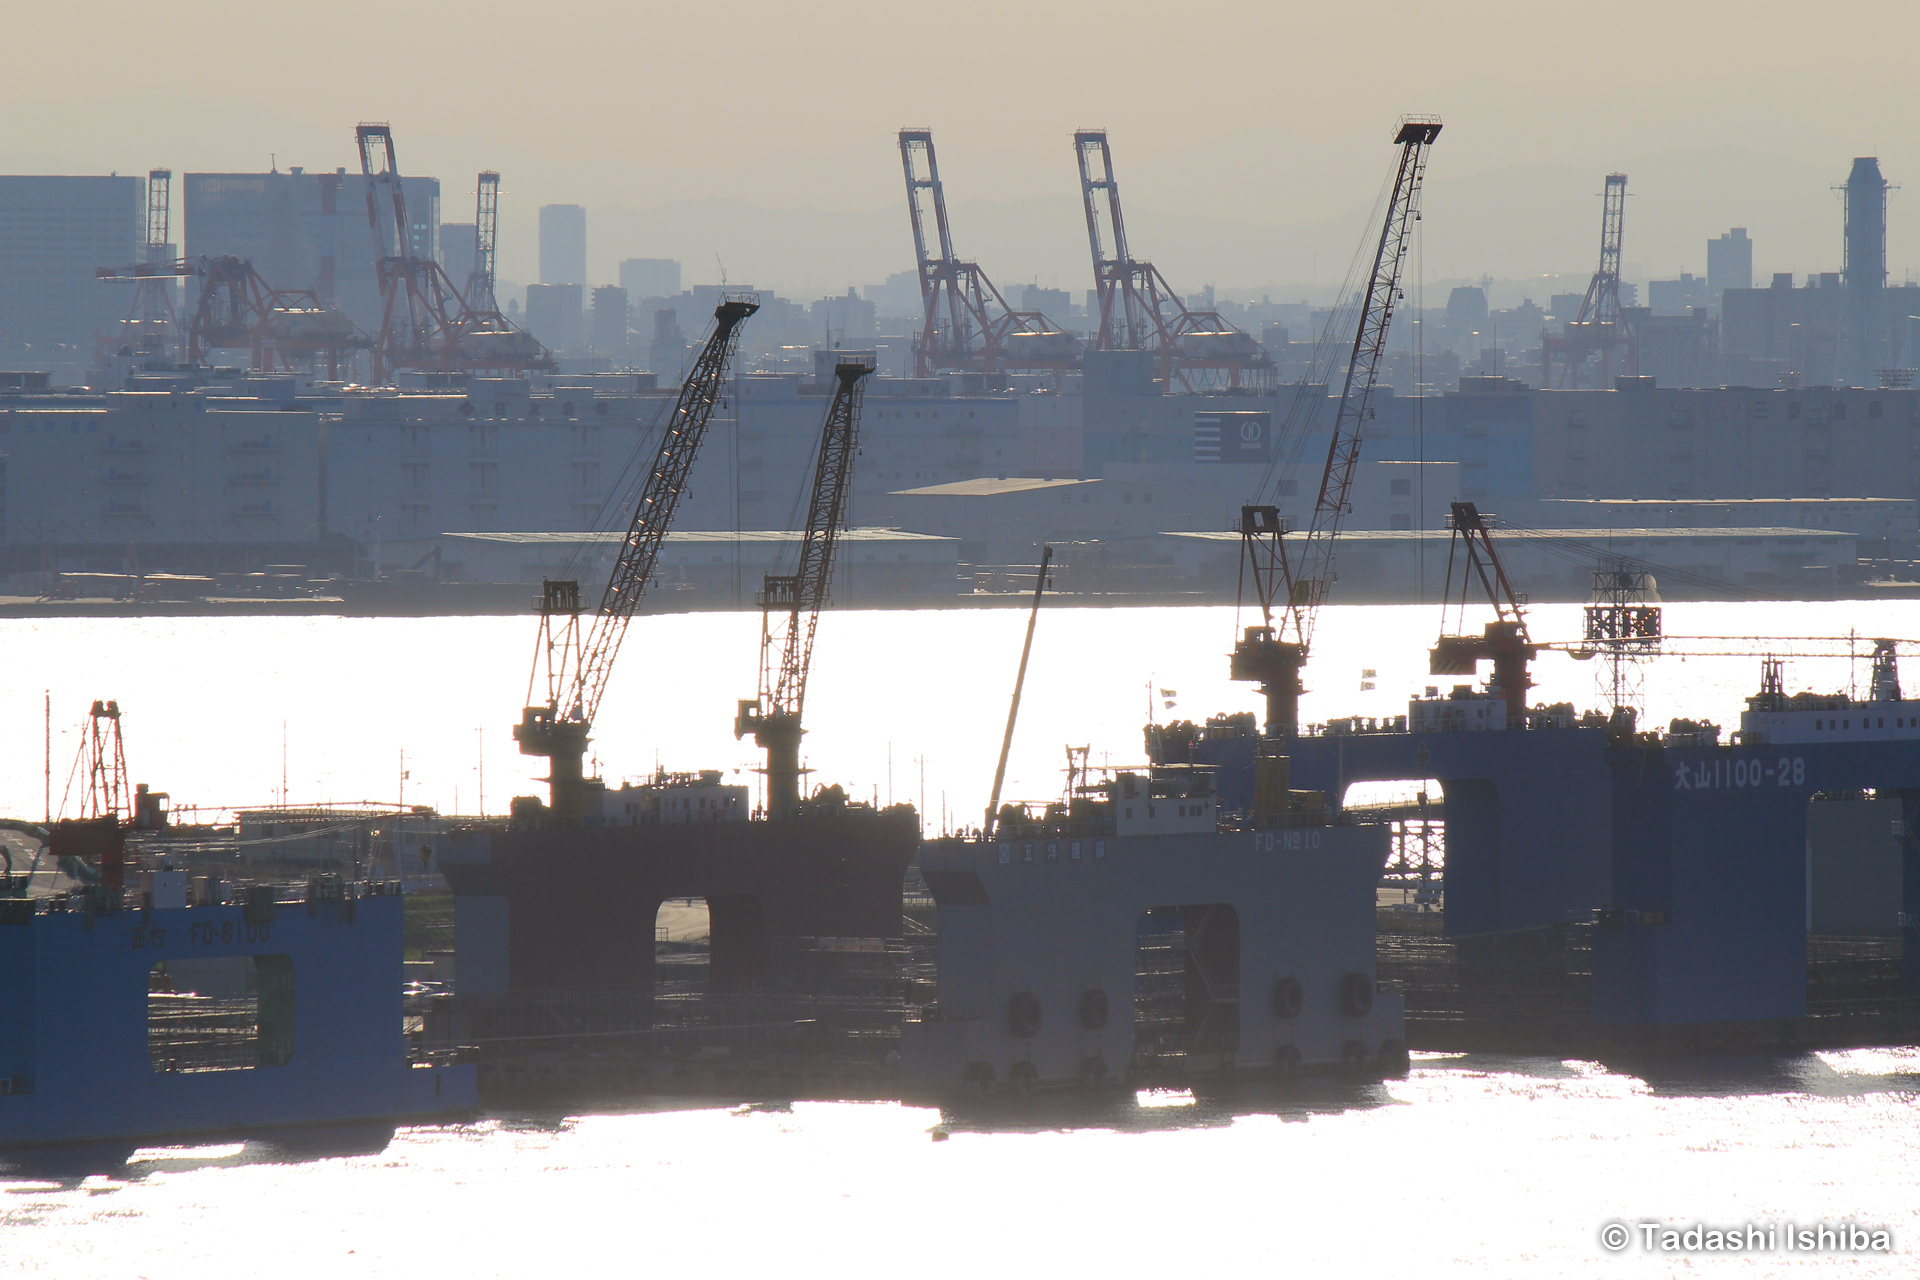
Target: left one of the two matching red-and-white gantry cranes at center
(965, 320)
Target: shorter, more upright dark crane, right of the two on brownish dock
(775, 717)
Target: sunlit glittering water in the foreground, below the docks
(1474, 1168)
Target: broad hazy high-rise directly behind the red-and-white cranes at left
(306, 231)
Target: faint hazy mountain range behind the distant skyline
(1520, 225)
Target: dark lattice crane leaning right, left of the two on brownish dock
(579, 659)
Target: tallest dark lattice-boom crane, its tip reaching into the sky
(1299, 584)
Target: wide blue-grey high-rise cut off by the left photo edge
(53, 235)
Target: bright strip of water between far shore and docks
(901, 707)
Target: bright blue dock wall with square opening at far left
(76, 1058)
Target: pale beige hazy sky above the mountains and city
(1249, 112)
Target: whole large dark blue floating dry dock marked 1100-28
(1666, 876)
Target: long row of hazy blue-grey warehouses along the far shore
(274, 471)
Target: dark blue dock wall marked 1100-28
(1689, 863)
